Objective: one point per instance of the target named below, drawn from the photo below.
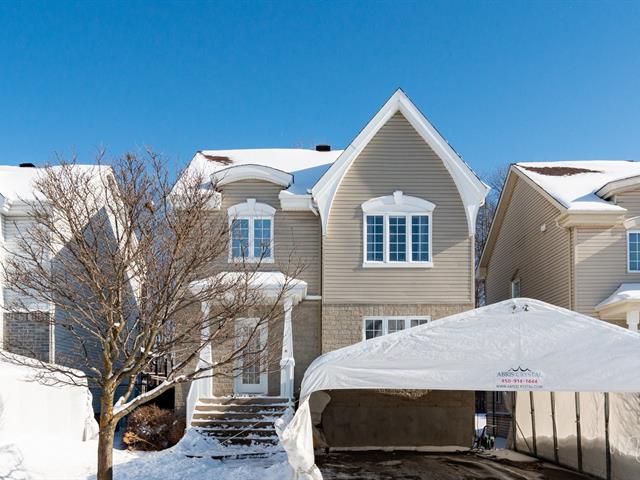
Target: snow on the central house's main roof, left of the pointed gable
(306, 166)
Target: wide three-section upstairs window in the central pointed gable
(397, 231)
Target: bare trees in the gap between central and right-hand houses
(495, 178)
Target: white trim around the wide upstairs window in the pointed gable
(397, 205)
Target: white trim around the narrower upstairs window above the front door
(251, 211)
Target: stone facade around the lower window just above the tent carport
(342, 324)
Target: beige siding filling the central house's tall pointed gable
(397, 158)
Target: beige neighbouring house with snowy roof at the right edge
(567, 233)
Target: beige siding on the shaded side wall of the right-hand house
(540, 259)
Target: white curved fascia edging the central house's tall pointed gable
(472, 190)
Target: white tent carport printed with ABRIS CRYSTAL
(518, 344)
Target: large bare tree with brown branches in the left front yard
(115, 251)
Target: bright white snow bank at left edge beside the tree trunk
(30, 409)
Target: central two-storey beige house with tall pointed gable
(385, 229)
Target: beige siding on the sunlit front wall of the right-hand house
(601, 260)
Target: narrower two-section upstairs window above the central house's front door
(251, 226)
